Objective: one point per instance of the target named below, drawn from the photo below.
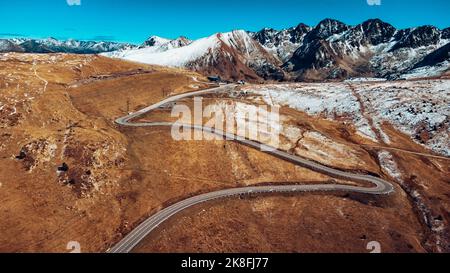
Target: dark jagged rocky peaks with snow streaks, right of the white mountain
(374, 48)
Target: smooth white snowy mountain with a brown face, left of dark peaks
(233, 55)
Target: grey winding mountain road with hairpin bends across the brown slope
(381, 187)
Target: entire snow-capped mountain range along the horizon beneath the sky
(329, 50)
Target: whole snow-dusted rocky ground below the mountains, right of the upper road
(420, 109)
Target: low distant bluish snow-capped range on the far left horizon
(52, 45)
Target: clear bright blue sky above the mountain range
(134, 21)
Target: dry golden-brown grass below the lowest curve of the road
(305, 223)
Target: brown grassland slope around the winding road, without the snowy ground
(58, 110)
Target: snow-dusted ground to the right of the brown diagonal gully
(412, 107)
